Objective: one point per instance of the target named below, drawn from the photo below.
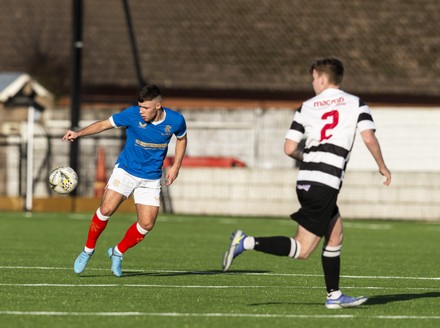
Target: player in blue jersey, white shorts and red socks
(138, 170)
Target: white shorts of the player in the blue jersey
(145, 192)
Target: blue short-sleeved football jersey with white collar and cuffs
(147, 143)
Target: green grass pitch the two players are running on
(174, 279)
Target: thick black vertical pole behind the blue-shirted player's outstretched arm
(76, 79)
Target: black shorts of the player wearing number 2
(318, 207)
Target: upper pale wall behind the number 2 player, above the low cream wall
(410, 137)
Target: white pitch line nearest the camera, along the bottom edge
(223, 315)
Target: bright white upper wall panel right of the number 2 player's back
(409, 137)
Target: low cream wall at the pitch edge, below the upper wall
(262, 192)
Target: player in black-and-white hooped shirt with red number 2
(329, 122)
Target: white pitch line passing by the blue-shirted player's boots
(226, 273)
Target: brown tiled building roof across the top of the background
(253, 48)
